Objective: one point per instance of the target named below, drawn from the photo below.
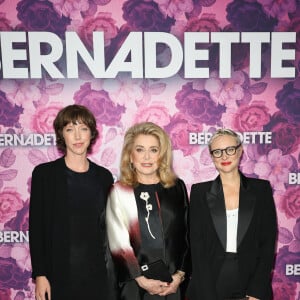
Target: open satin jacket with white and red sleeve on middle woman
(124, 231)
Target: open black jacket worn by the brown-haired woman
(48, 216)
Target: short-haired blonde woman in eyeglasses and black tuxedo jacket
(232, 229)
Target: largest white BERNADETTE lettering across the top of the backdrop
(138, 56)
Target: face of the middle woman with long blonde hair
(144, 157)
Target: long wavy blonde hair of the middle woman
(165, 172)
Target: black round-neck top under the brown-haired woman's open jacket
(86, 265)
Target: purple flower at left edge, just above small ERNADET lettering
(9, 114)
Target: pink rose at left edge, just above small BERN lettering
(10, 203)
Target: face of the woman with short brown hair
(77, 138)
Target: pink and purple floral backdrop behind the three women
(178, 104)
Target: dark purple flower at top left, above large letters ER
(38, 15)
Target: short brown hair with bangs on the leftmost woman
(73, 114)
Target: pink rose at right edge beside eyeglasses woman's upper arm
(290, 202)
